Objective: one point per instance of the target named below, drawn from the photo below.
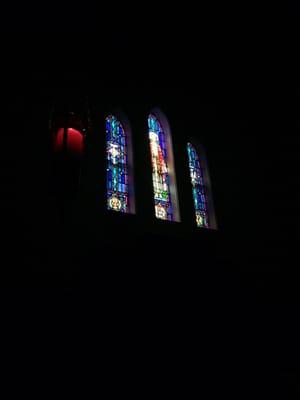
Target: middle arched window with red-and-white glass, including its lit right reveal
(163, 172)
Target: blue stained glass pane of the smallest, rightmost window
(198, 188)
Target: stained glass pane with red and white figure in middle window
(160, 170)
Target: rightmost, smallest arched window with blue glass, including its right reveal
(201, 190)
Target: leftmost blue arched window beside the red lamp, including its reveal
(119, 166)
